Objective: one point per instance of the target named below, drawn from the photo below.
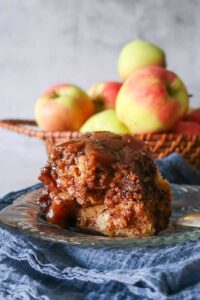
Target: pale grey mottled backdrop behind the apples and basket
(78, 41)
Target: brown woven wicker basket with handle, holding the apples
(161, 144)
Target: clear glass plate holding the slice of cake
(25, 215)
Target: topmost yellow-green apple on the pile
(138, 54)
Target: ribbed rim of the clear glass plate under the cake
(112, 242)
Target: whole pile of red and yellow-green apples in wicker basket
(148, 99)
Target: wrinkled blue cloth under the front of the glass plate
(35, 269)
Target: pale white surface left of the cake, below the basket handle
(21, 159)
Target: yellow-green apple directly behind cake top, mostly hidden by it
(104, 121)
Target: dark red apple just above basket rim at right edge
(186, 127)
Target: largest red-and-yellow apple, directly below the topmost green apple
(152, 99)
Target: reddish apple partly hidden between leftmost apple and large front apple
(103, 94)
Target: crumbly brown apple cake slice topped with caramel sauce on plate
(106, 183)
